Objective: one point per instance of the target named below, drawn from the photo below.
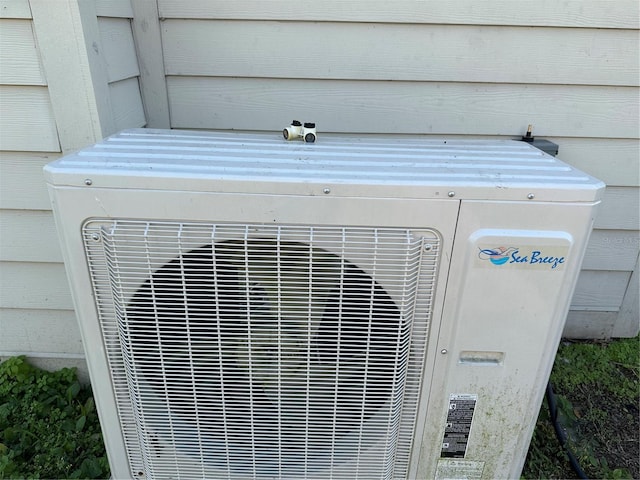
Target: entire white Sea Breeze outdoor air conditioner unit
(355, 308)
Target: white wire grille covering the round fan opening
(252, 351)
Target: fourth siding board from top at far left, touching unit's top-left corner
(22, 184)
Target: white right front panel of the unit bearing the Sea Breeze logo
(508, 295)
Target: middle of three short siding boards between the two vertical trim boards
(118, 48)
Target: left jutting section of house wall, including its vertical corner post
(68, 77)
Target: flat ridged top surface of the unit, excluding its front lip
(381, 161)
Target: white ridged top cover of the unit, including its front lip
(346, 166)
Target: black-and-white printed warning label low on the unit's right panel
(456, 432)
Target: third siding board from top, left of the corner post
(27, 121)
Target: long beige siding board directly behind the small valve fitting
(403, 107)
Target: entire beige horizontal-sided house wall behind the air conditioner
(73, 72)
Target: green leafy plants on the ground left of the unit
(48, 425)
